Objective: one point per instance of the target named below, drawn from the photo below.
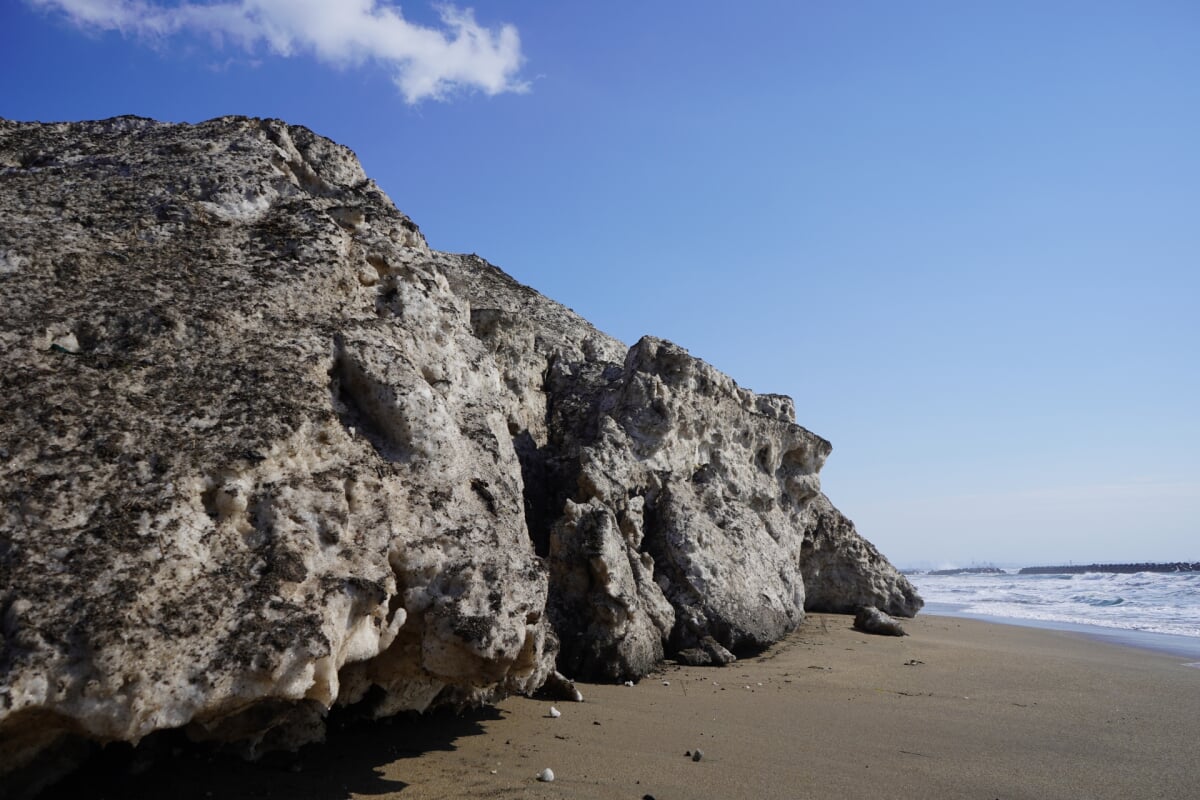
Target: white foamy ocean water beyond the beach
(1159, 611)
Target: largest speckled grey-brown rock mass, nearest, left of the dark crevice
(254, 459)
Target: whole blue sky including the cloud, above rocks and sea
(965, 237)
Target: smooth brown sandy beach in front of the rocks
(958, 709)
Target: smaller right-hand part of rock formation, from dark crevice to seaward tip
(673, 504)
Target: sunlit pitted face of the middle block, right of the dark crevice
(709, 492)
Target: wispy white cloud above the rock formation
(425, 63)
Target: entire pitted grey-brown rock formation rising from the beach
(265, 453)
